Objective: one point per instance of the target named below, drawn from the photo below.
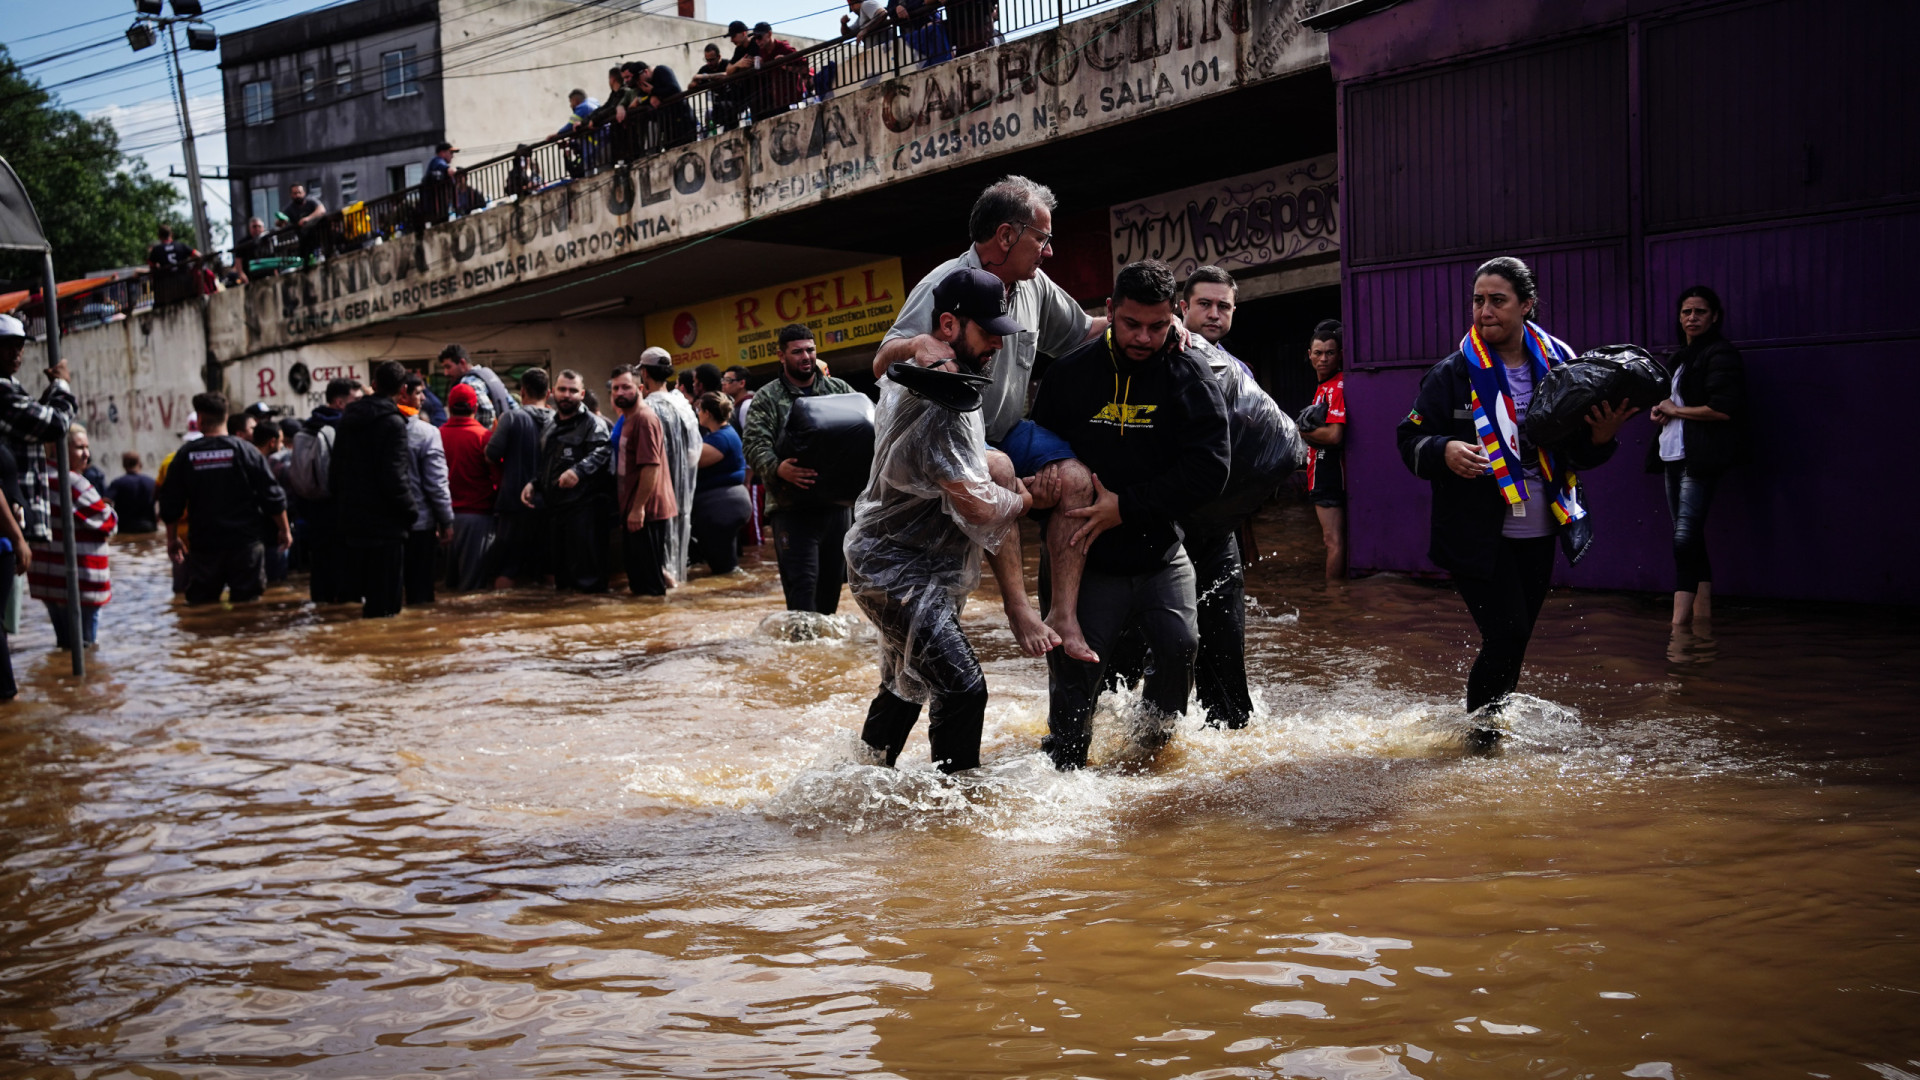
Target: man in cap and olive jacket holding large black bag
(809, 539)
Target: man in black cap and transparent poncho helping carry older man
(934, 501)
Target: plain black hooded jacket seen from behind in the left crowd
(368, 476)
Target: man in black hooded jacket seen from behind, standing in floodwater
(368, 478)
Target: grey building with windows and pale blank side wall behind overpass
(350, 101)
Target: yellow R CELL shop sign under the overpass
(844, 310)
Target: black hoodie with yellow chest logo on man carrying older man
(1157, 437)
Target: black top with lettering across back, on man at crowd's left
(226, 489)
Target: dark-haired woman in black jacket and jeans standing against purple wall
(1702, 435)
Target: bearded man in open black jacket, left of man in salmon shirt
(573, 466)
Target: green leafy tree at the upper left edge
(97, 205)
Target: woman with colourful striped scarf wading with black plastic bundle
(1499, 503)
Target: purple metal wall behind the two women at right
(1629, 149)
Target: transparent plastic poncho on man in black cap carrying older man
(909, 547)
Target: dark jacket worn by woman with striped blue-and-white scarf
(1468, 514)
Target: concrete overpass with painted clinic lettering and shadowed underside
(1115, 112)
